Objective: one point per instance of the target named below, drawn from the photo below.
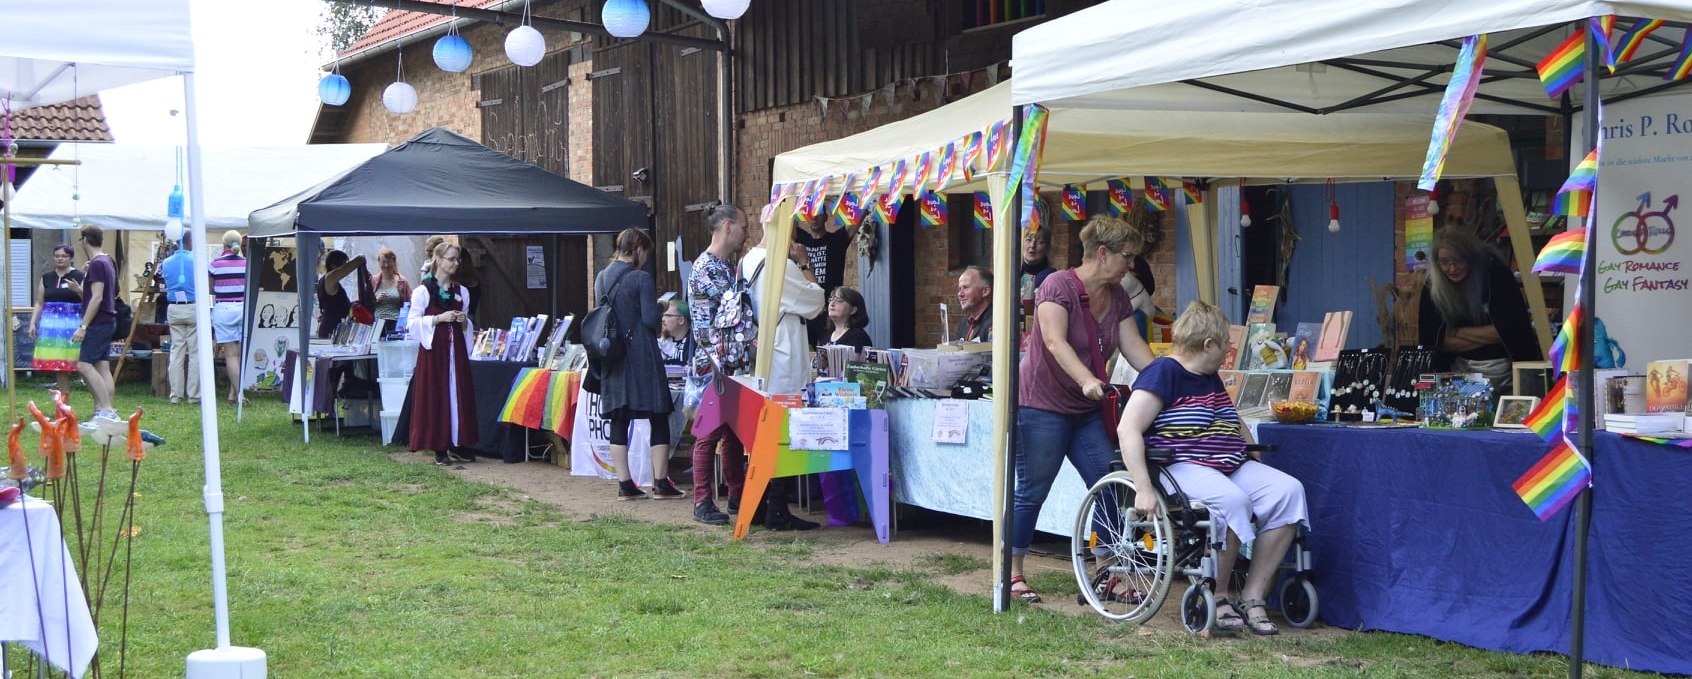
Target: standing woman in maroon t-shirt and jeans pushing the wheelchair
(1079, 314)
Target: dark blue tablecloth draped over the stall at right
(1420, 533)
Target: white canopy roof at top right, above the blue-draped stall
(1366, 57)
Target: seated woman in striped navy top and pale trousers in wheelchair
(1178, 404)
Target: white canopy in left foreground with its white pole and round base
(72, 48)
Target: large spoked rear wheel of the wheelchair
(1123, 563)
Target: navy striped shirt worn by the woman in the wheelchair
(1199, 421)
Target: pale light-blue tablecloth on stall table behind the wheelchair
(959, 480)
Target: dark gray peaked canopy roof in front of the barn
(442, 182)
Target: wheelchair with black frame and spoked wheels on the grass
(1126, 563)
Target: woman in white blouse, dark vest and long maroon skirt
(442, 397)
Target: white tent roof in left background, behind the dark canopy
(126, 187)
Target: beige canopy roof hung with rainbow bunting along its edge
(1099, 145)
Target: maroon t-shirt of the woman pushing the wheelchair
(1043, 384)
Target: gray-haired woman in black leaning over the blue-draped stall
(1473, 312)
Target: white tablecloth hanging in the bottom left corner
(40, 593)
